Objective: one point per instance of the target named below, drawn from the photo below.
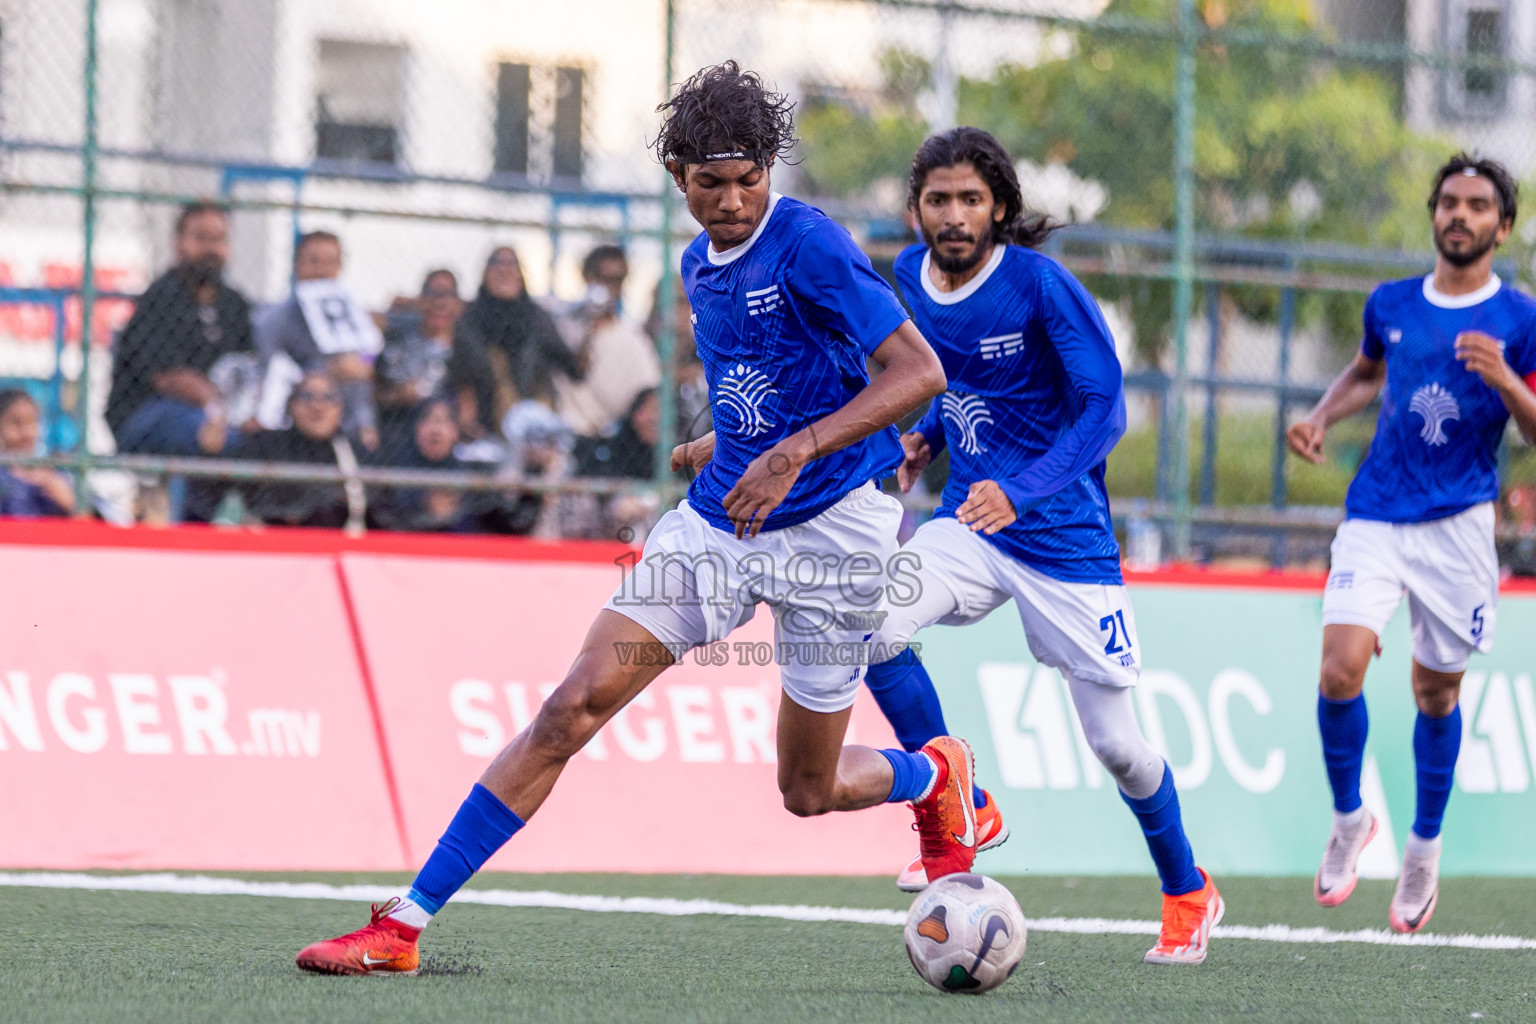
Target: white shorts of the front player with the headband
(826, 581)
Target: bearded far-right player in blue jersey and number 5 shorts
(1452, 357)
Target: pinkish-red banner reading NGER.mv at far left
(185, 710)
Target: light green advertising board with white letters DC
(1230, 695)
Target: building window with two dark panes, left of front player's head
(540, 116)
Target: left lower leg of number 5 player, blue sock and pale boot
(1342, 719)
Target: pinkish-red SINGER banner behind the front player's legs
(684, 781)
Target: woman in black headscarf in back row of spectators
(506, 349)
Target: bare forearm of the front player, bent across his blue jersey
(912, 375)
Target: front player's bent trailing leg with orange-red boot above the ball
(819, 775)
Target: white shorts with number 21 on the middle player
(1084, 630)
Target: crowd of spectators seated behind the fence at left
(503, 386)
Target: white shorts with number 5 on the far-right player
(1448, 567)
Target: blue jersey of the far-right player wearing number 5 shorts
(1437, 443)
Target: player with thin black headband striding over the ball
(787, 311)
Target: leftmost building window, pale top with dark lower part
(359, 102)
